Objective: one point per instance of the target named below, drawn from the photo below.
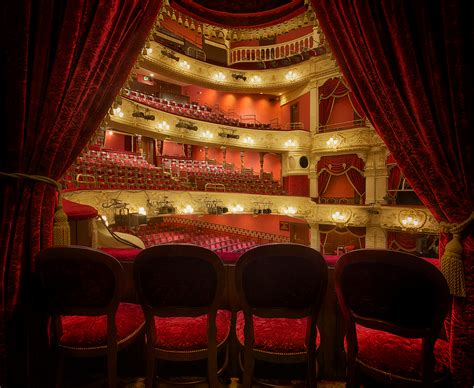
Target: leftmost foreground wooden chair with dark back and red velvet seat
(82, 288)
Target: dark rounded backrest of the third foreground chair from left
(281, 280)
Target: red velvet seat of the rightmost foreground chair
(397, 355)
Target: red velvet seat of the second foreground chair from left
(189, 333)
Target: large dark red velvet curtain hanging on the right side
(407, 64)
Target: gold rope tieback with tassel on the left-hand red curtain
(61, 231)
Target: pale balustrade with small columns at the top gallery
(271, 52)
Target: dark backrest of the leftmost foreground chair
(79, 280)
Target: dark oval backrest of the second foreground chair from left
(179, 279)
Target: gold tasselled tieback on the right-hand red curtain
(451, 261)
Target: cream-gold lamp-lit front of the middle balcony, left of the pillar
(207, 133)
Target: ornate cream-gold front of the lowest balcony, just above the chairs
(365, 216)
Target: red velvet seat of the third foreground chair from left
(276, 335)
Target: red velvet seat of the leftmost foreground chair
(91, 332)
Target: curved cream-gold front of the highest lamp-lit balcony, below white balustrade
(205, 74)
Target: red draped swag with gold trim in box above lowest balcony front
(350, 165)
